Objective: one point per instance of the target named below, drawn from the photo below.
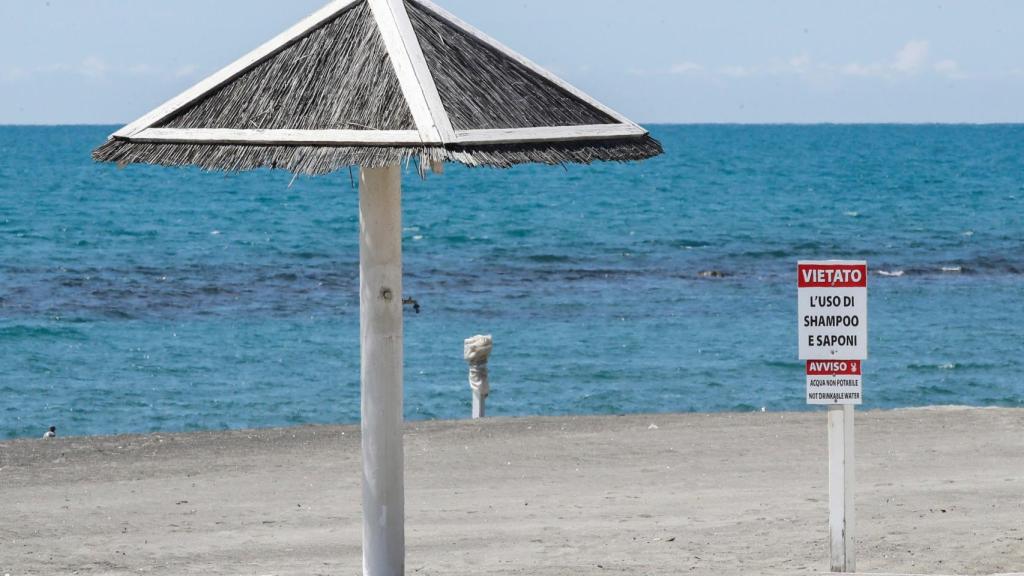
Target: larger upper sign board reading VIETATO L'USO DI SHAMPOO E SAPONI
(833, 310)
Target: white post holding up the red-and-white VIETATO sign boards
(841, 488)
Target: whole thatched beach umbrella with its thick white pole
(374, 84)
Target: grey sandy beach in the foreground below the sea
(940, 491)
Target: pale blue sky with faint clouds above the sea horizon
(108, 62)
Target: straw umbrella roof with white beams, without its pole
(376, 83)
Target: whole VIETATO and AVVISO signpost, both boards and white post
(833, 333)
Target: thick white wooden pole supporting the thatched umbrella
(381, 339)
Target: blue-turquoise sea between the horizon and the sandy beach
(148, 299)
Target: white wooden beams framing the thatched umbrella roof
(417, 83)
